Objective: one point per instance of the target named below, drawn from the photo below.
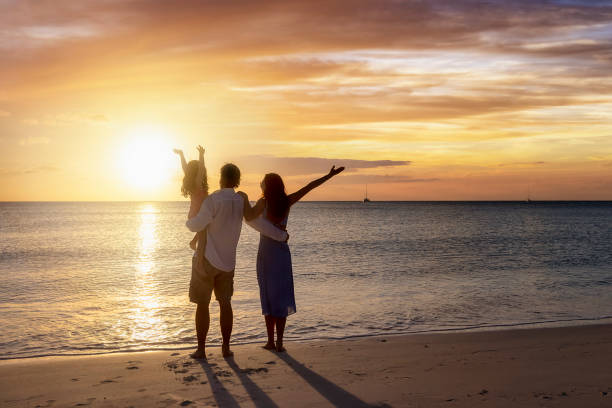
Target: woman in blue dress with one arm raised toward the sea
(274, 272)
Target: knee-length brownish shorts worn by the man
(205, 278)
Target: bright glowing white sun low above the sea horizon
(146, 160)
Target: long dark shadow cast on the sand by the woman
(336, 395)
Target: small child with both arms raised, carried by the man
(195, 186)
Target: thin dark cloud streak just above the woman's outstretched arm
(293, 166)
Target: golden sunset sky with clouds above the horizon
(420, 100)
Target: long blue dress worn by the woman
(275, 277)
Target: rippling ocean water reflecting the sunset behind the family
(84, 278)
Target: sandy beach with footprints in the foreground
(558, 367)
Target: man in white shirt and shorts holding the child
(221, 215)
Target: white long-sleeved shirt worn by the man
(222, 212)
